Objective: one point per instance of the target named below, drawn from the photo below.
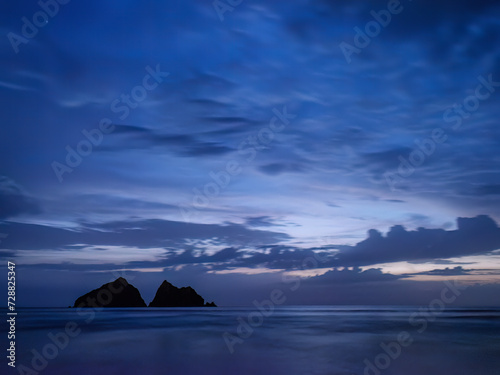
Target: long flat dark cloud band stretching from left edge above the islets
(133, 233)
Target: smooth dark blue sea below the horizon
(313, 340)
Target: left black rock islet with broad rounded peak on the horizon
(118, 293)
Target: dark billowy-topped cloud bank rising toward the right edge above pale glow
(479, 235)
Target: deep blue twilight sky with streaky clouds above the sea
(351, 146)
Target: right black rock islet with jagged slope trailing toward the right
(169, 295)
